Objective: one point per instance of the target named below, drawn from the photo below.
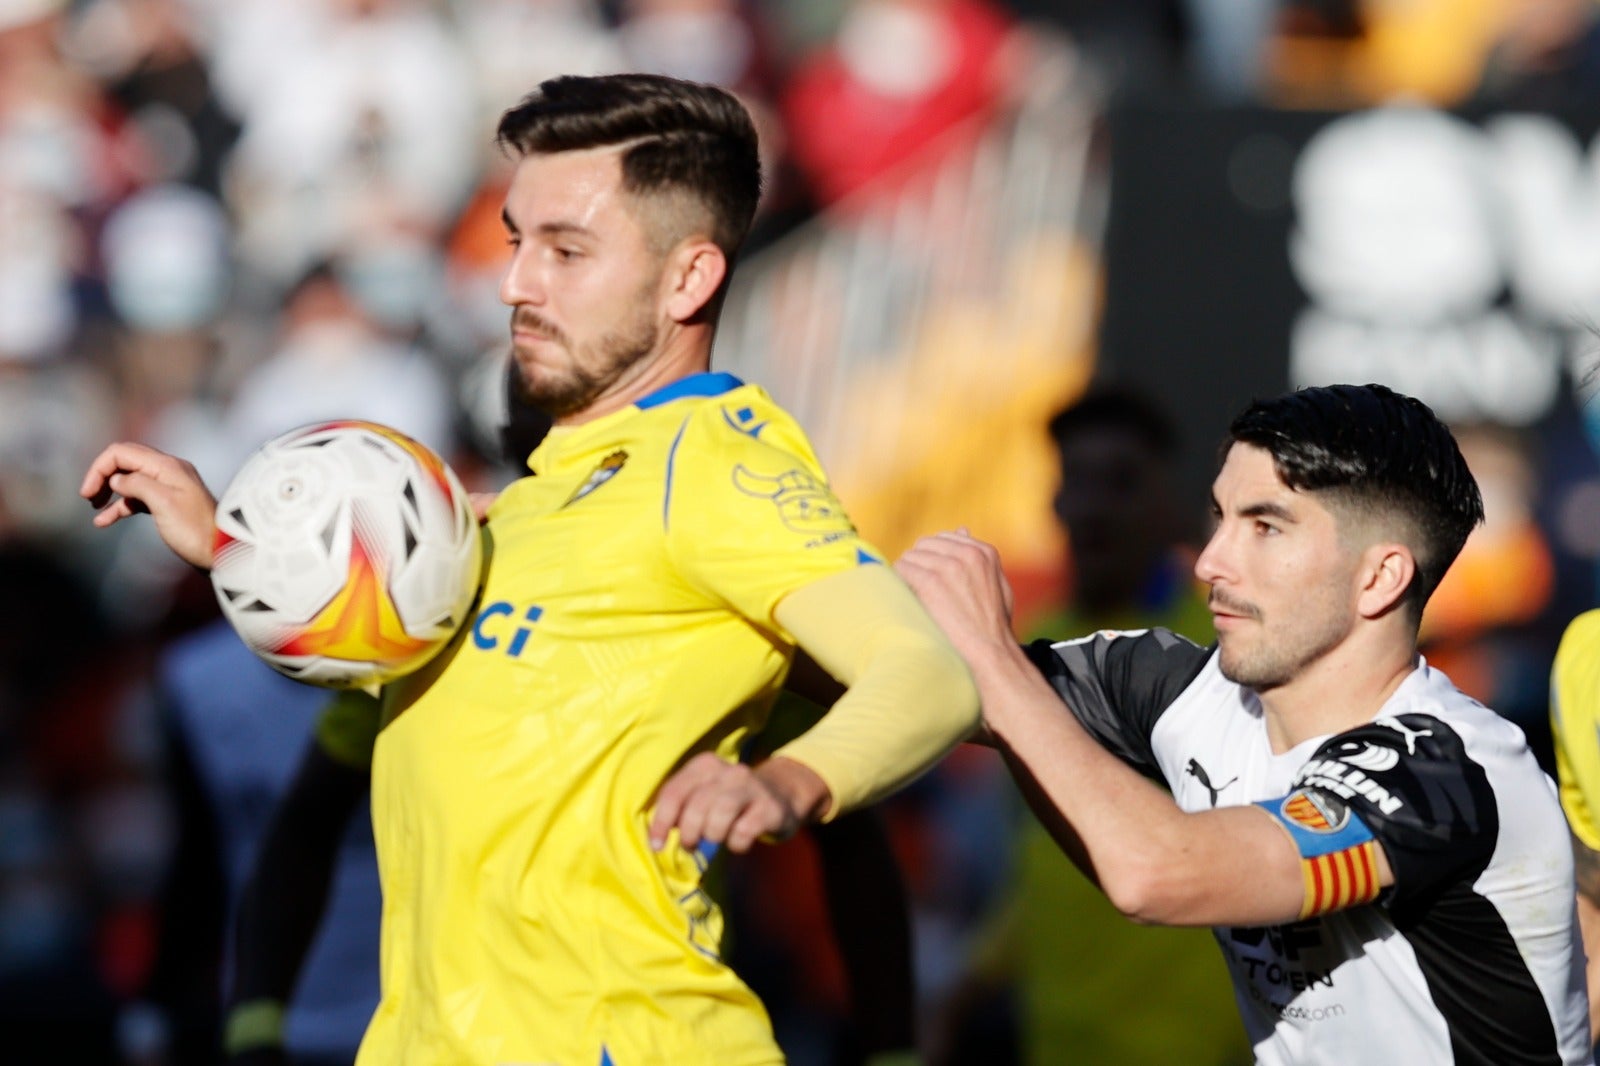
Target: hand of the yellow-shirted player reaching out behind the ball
(129, 479)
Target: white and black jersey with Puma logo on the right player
(1471, 956)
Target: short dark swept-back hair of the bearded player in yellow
(678, 137)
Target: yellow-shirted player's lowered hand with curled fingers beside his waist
(711, 799)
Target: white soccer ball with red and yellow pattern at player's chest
(346, 555)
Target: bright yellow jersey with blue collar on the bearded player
(626, 623)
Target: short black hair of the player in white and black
(1380, 452)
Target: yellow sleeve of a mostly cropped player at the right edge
(1575, 723)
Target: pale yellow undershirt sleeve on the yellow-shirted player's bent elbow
(910, 697)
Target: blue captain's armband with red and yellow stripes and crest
(1338, 852)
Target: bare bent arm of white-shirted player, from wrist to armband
(1154, 862)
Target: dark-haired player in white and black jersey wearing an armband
(1380, 857)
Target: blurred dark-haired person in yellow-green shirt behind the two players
(1137, 995)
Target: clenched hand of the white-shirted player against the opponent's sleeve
(961, 582)
